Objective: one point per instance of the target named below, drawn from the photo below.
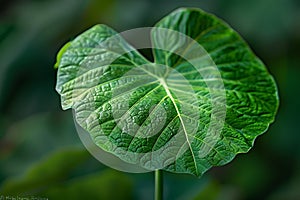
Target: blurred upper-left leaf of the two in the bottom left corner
(45, 173)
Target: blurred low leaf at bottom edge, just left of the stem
(100, 185)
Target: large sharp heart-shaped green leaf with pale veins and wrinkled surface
(204, 99)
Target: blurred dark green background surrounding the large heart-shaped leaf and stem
(41, 154)
